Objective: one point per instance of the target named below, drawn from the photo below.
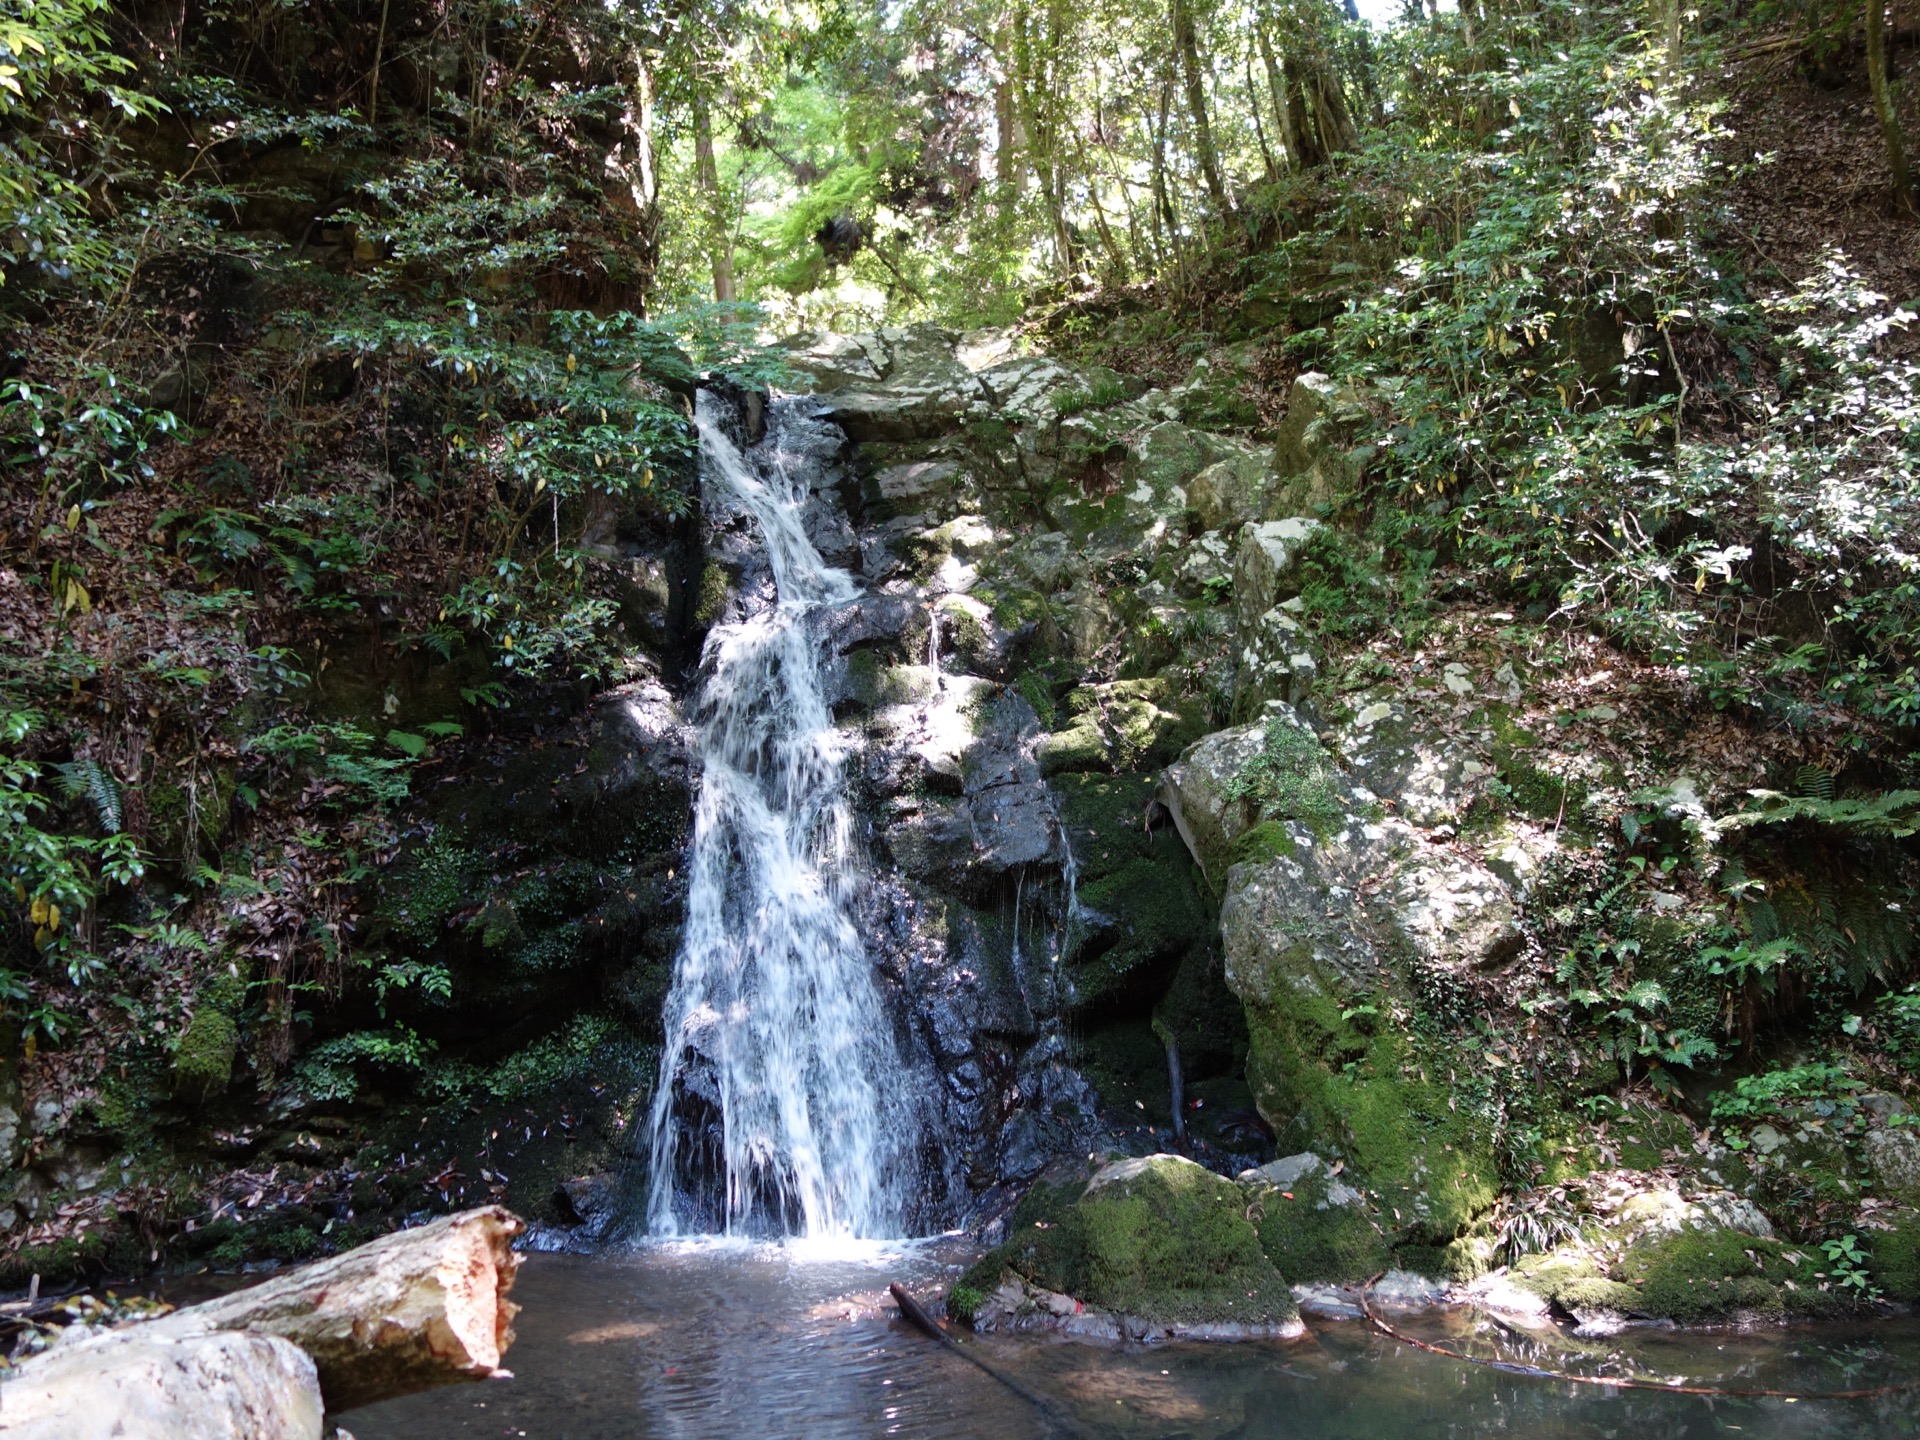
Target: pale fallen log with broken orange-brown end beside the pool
(408, 1312)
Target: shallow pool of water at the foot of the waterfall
(708, 1341)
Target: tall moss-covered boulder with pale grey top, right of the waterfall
(1333, 921)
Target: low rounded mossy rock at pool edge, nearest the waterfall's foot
(1155, 1237)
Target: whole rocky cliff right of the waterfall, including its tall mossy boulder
(1068, 587)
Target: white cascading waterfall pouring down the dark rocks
(775, 1019)
